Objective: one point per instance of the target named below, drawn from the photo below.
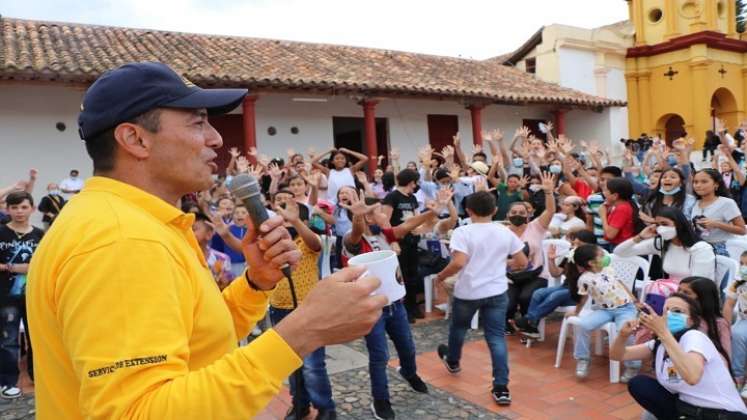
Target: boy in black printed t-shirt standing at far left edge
(18, 241)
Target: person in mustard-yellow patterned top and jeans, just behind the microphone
(314, 387)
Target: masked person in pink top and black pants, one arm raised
(523, 283)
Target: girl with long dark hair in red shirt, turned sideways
(619, 213)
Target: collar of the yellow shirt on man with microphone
(160, 209)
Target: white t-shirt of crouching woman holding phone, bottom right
(715, 388)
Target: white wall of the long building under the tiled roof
(28, 115)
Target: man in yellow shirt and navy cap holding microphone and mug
(126, 319)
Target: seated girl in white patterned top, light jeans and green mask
(589, 276)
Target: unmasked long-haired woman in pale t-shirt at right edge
(715, 215)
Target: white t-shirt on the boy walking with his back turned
(488, 246)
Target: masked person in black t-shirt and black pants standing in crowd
(400, 205)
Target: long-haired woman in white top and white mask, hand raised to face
(682, 252)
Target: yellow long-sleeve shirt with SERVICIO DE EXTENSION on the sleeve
(127, 322)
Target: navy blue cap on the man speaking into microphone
(133, 89)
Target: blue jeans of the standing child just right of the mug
(393, 322)
